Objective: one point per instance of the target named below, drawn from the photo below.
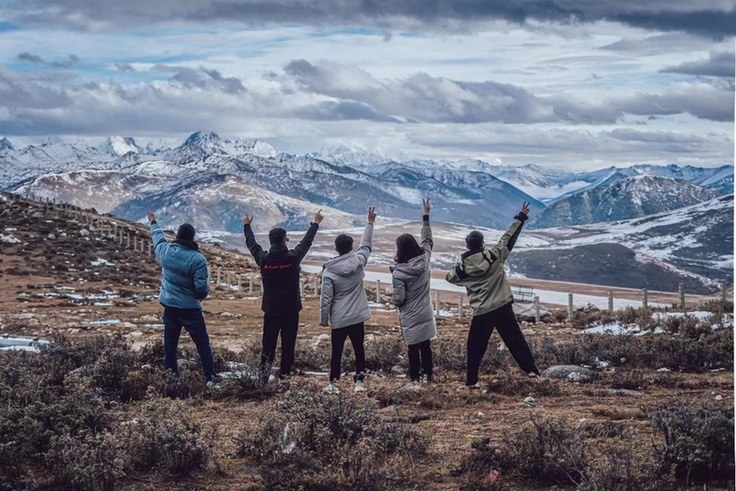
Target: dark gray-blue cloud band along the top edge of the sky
(711, 18)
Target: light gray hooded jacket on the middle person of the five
(343, 300)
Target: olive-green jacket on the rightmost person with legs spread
(482, 273)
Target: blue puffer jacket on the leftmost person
(184, 280)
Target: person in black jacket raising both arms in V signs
(281, 297)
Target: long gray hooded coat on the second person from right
(411, 293)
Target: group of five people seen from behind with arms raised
(343, 303)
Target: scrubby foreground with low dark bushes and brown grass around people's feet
(92, 414)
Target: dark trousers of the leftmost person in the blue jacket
(193, 321)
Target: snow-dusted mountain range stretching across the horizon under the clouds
(213, 181)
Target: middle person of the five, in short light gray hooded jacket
(343, 302)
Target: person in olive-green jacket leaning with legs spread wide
(481, 272)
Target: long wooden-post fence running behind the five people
(130, 238)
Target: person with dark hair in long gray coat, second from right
(411, 282)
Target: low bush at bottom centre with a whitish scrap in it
(324, 441)
